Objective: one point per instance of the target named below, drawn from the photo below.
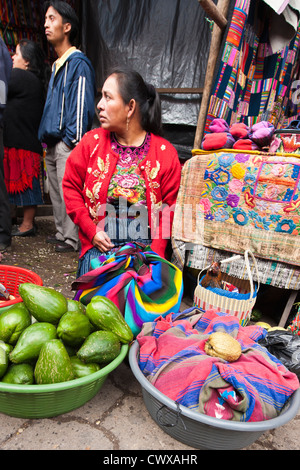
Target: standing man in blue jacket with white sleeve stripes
(68, 112)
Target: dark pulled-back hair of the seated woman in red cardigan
(132, 85)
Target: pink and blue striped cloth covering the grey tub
(172, 357)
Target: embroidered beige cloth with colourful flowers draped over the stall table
(231, 201)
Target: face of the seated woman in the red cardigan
(113, 112)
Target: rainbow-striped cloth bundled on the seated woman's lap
(141, 284)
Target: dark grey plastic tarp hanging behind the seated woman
(167, 41)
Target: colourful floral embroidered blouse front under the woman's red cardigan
(127, 180)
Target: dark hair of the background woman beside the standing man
(34, 54)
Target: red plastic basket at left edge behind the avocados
(11, 277)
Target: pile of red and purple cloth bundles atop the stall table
(237, 136)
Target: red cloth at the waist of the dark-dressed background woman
(20, 167)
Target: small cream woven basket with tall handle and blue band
(238, 304)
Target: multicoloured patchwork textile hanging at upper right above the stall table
(253, 83)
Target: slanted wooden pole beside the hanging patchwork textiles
(216, 40)
